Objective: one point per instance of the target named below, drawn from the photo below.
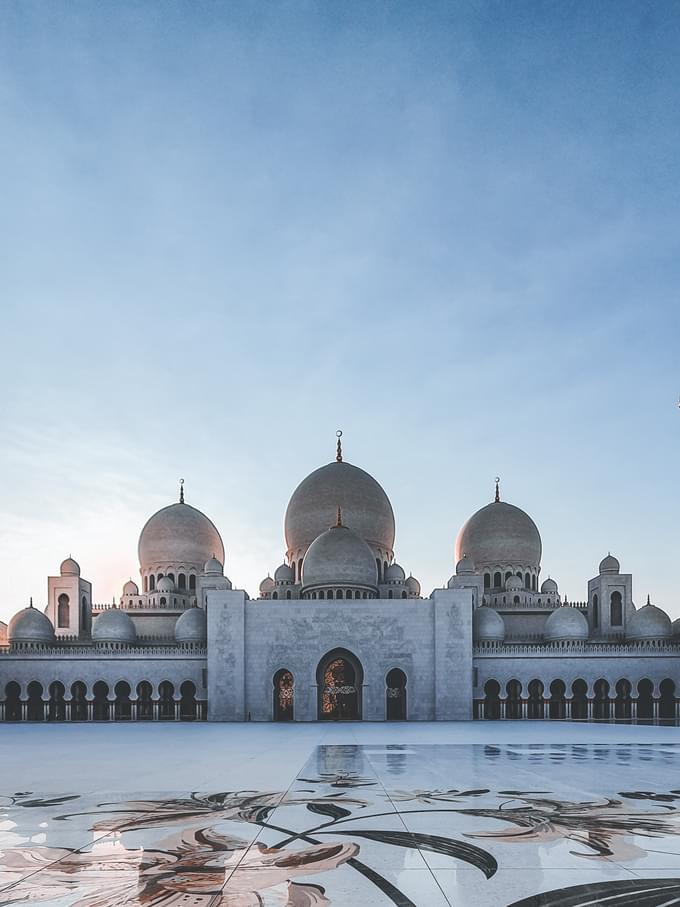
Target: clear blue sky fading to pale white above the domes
(450, 230)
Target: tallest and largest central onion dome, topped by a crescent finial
(365, 507)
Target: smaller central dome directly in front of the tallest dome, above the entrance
(339, 557)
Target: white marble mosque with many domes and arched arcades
(340, 631)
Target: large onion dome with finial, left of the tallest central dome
(179, 535)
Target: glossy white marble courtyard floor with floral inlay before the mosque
(511, 814)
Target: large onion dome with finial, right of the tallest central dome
(500, 534)
